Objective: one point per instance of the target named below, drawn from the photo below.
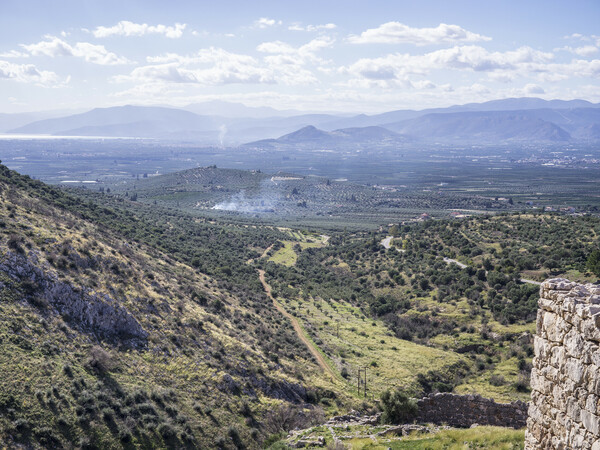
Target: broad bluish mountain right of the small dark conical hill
(483, 127)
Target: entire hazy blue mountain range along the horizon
(224, 123)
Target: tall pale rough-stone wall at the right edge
(564, 412)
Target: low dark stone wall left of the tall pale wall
(466, 410)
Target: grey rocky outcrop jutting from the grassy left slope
(92, 313)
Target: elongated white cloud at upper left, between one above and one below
(96, 54)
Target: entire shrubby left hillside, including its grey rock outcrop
(107, 341)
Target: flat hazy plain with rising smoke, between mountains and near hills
(335, 188)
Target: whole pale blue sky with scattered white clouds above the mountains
(345, 56)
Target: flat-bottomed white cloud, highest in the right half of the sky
(399, 33)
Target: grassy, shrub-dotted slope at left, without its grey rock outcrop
(185, 388)
